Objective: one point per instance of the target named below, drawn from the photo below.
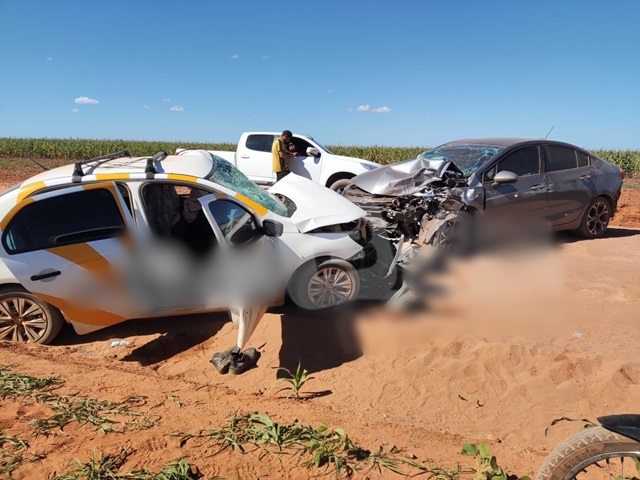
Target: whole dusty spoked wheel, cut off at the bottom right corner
(595, 453)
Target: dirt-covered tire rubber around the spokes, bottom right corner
(584, 449)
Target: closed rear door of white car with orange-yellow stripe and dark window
(67, 247)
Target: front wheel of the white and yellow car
(329, 284)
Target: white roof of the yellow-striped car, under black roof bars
(193, 164)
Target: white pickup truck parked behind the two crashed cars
(315, 162)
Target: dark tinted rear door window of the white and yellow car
(68, 219)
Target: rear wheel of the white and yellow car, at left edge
(26, 318)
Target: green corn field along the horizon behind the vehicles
(77, 149)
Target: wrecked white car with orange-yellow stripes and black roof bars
(118, 238)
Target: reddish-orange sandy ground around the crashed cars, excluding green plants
(505, 345)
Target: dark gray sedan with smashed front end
(564, 186)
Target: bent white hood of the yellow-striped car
(317, 206)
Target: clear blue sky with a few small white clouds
(347, 72)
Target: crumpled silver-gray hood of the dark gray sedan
(403, 178)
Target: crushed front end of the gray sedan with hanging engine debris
(409, 206)
